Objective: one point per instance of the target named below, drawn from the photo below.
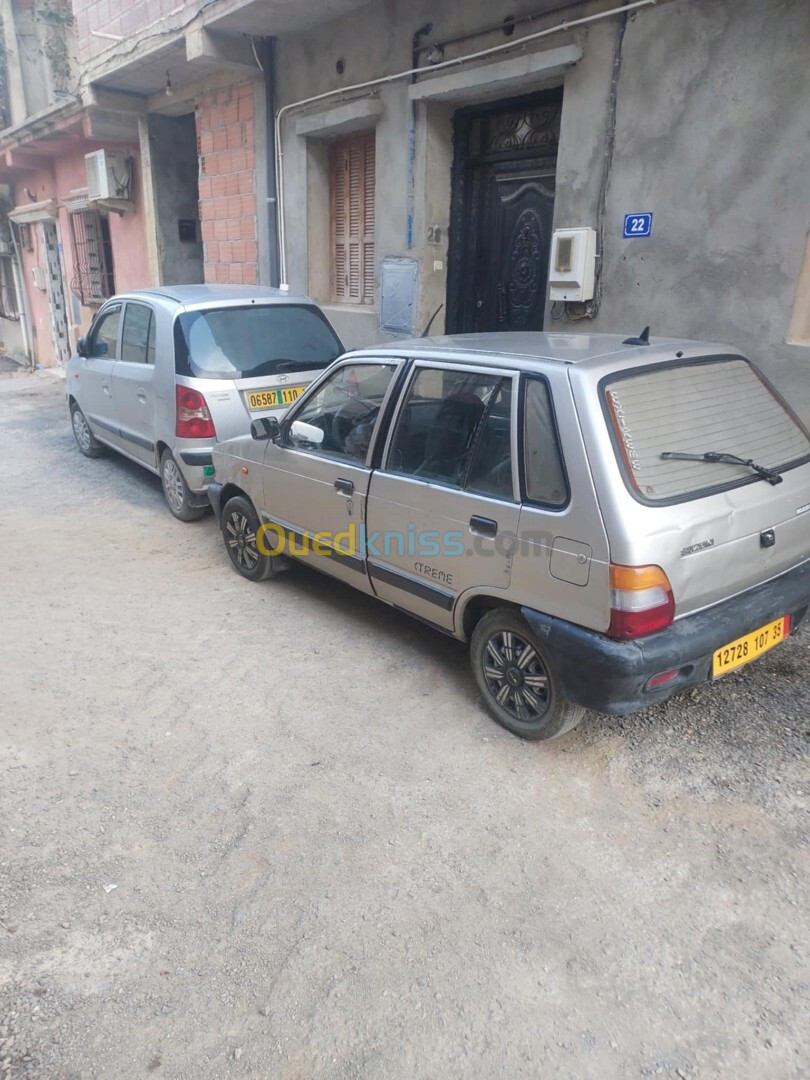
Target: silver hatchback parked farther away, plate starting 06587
(165, 373)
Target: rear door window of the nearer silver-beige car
(456, 427)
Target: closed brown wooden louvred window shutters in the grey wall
(352, 190)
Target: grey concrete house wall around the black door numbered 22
(711, 137)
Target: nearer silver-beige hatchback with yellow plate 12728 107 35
(606, 522)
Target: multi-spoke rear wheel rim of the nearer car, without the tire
(517, 677)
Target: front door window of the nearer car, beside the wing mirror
(340, 418)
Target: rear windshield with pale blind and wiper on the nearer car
(697, 408)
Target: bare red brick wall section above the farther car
(225, 126)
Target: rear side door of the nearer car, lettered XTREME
(443, 511)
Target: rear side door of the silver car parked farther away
(133, 379)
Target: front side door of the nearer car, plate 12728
(316, 476)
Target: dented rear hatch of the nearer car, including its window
(718, 528)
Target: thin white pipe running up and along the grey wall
(458, 62)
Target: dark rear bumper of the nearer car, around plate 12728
(611, 677)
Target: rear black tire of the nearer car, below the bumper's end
(518, 681)
